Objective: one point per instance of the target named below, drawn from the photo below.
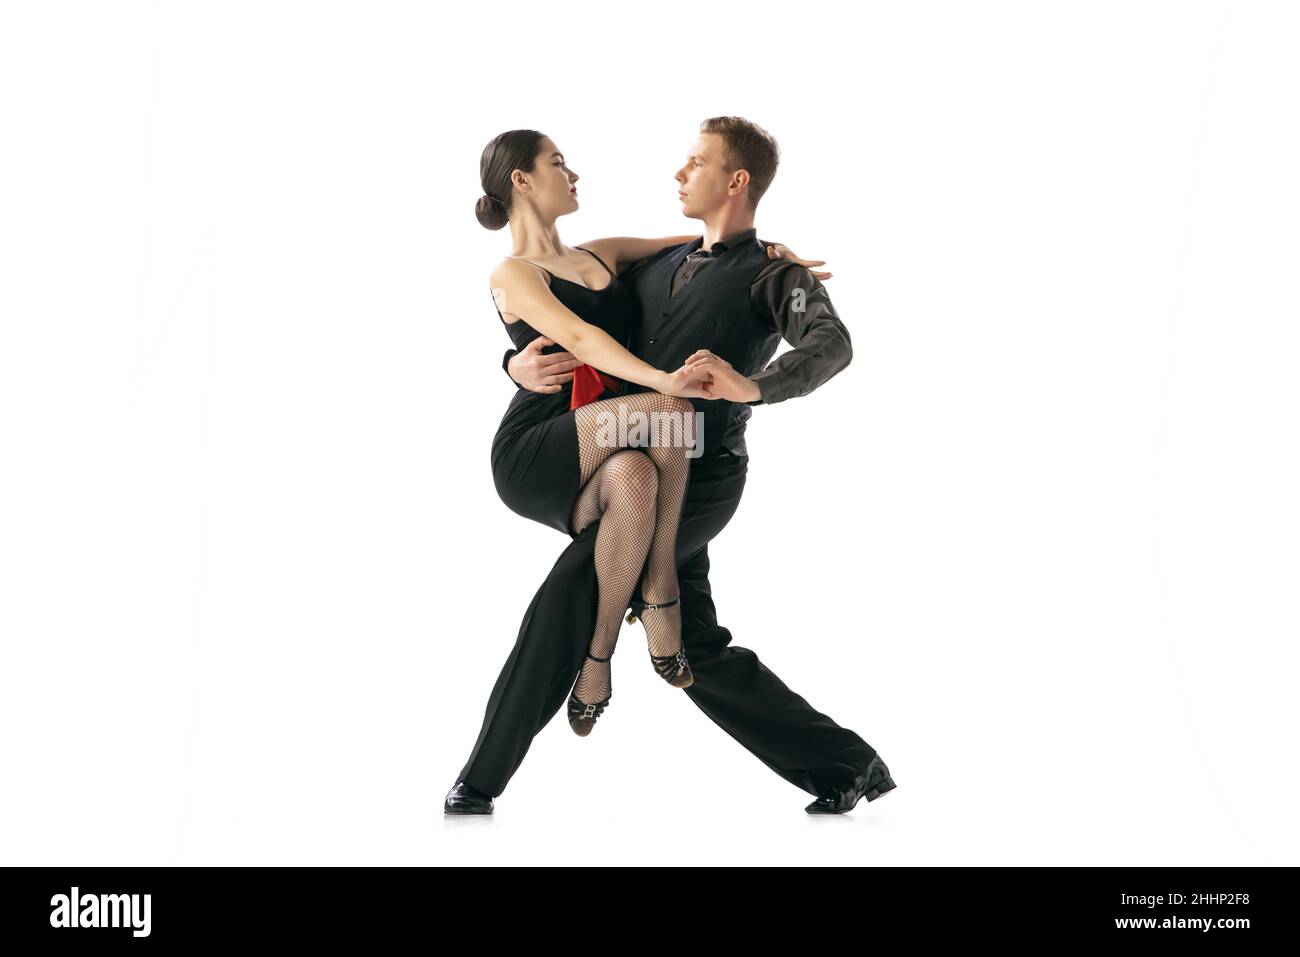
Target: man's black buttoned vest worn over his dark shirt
(713, 311)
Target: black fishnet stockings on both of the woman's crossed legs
(668, 422)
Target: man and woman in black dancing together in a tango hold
(597, 330)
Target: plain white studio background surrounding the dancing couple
(1037, 544)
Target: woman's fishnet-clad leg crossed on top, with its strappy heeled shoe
(669, 422)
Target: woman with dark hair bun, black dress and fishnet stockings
(552, 460)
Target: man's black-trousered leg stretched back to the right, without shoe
(733, 686)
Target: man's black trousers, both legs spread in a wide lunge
(733, 686)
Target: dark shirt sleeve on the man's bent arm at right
(801, 311)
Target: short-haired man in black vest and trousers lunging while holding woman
(722, 291)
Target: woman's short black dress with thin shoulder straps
(535, 457)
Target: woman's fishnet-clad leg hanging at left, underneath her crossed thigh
(622, 495)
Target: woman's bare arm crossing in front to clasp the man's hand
(519, 289)
